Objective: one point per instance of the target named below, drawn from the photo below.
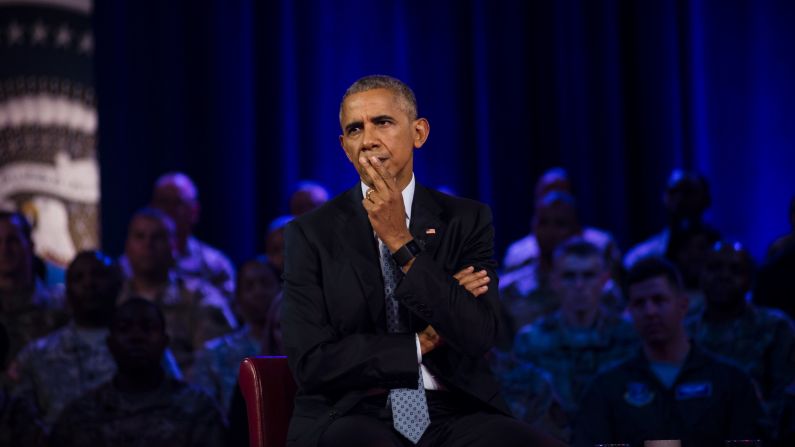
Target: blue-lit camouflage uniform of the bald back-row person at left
(202, 263)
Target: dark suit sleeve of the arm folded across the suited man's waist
(323, 360)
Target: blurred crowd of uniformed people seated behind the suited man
(683, 336)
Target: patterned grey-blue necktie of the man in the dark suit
(409, 407)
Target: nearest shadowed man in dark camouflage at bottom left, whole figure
(140, 403)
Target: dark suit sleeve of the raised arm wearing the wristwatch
(468, 324)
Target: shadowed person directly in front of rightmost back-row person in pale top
(688, 246)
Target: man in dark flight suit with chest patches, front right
(671, 389)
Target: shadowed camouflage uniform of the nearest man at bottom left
(175, 414)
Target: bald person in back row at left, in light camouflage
(176, 195)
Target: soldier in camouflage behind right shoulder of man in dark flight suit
(759, 340)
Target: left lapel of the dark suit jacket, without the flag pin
(358, 242)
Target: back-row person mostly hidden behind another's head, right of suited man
(526, 249)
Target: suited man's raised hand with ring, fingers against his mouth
(384, 205)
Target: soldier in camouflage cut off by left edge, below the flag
(28, 309)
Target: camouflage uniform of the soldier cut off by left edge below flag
(28, 316)
